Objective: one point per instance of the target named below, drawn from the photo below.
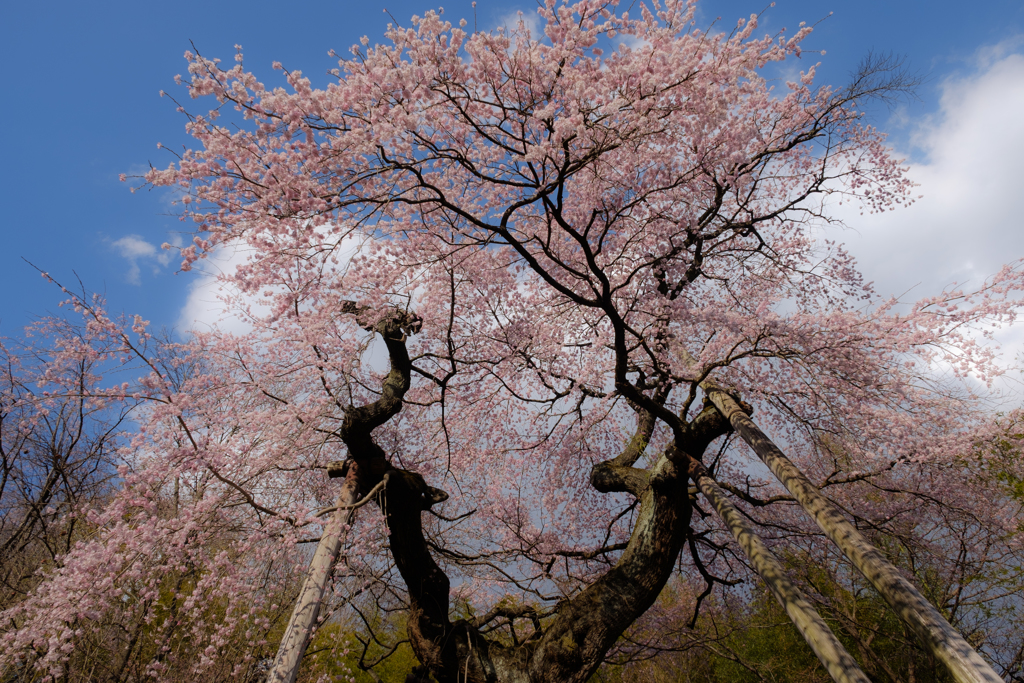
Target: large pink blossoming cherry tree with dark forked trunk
(495, 274)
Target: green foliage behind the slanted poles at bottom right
(750, 639)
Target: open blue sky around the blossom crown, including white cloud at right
(81, 106)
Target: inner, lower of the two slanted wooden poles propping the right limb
(841, 666)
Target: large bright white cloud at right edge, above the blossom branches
(969, 222)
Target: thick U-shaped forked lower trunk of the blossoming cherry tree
(574, 644)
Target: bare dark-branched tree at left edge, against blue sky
(59, 446)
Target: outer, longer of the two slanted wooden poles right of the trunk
(937, 635)
